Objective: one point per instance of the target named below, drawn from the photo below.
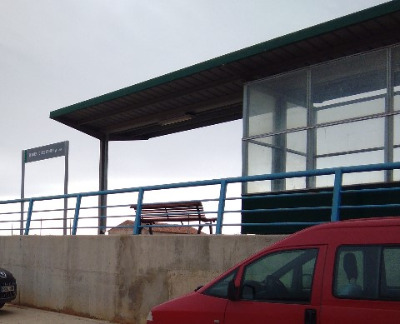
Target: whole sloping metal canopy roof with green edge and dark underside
(212, 92)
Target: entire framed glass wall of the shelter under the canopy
(340, 113)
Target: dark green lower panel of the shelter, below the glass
(317, 206)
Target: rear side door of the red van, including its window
(365, 287)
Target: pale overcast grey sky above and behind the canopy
(57, 53)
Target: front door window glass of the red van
(282, 276)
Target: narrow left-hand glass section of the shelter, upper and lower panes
(273, 108)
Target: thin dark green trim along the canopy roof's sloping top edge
(332, 25)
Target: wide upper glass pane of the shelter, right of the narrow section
(349, 88)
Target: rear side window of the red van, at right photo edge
(367, 272)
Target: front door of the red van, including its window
(279, 287)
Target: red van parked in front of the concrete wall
(346, 272)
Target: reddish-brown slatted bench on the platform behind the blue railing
(183, 211)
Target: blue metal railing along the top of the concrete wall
(224, 203)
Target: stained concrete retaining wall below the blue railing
(118, 278)
